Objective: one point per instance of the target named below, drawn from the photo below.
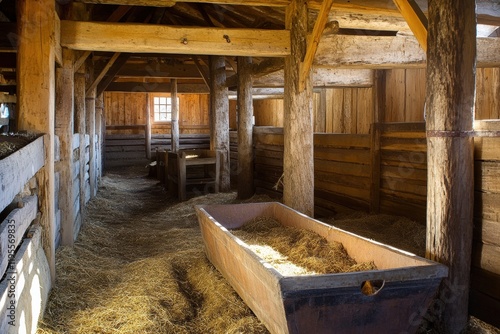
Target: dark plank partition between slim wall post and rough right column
(403, 170)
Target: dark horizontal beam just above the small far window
(155, 87)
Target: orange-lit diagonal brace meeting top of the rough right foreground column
(416, 20)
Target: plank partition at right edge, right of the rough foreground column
(485, 271)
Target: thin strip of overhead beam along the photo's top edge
(170, 3)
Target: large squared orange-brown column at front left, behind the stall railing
(36, 101)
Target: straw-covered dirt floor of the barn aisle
(139, 266)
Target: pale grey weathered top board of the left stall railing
(18, 168)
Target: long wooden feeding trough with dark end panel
(331, 303)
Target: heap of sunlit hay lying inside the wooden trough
(294, 251)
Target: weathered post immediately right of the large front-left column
(64, 129)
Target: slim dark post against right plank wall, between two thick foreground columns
(378, 110)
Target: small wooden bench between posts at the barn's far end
(192, 167)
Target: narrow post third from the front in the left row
(80, 119)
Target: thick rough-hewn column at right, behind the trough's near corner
(451, 67)
